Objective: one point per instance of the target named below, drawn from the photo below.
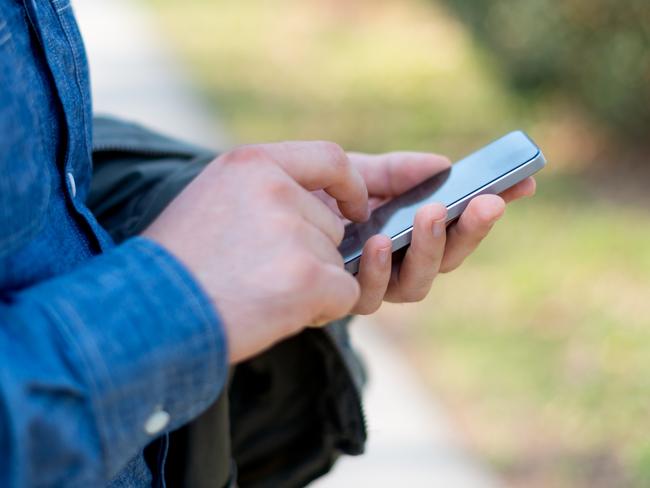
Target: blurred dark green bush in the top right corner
(594, 52)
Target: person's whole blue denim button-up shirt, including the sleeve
(103, 348)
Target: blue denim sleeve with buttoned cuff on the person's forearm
(88, 357)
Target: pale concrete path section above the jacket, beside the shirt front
(134, 76)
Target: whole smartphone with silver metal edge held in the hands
(492, 169)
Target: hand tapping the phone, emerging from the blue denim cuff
(261, 245)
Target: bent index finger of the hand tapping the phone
(321, 165)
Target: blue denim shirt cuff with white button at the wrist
(149, 341)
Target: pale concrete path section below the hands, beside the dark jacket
(411, 441)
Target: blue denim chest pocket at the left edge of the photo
(24, 174)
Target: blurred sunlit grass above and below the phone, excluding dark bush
(540, 343)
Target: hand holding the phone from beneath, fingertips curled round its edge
(434, 248)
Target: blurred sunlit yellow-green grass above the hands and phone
(370, 75)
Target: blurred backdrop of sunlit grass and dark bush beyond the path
(539, 345)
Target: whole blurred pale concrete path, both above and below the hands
(411, 442)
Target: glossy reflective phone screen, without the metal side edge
(461, 180)
